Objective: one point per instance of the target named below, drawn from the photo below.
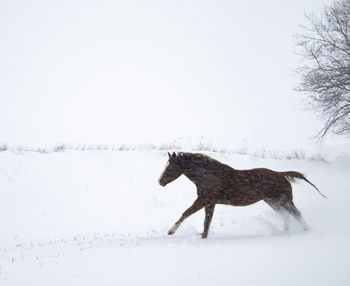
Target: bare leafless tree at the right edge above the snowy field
(325, 72)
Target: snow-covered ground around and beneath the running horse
(100, 218)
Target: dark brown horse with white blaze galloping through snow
(218, 183)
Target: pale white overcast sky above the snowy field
(147, 71)
